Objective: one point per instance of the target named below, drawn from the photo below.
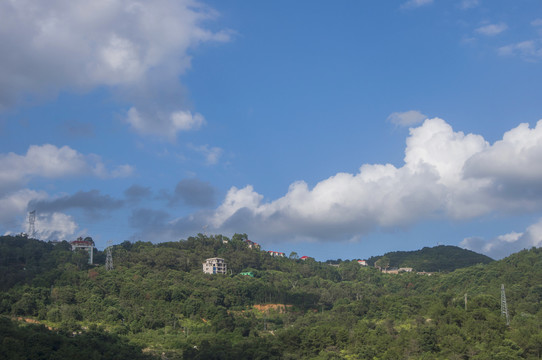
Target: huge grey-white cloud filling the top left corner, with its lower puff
(139, 49)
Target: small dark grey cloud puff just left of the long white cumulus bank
(194, 192)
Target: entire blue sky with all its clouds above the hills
(333, 129)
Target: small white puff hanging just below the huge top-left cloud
(164, 125)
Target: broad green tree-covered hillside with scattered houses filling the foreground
(157, 303)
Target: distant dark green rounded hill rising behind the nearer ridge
(438, 258)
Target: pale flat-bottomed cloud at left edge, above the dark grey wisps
(50, 161)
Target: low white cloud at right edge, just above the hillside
(506, 244)
